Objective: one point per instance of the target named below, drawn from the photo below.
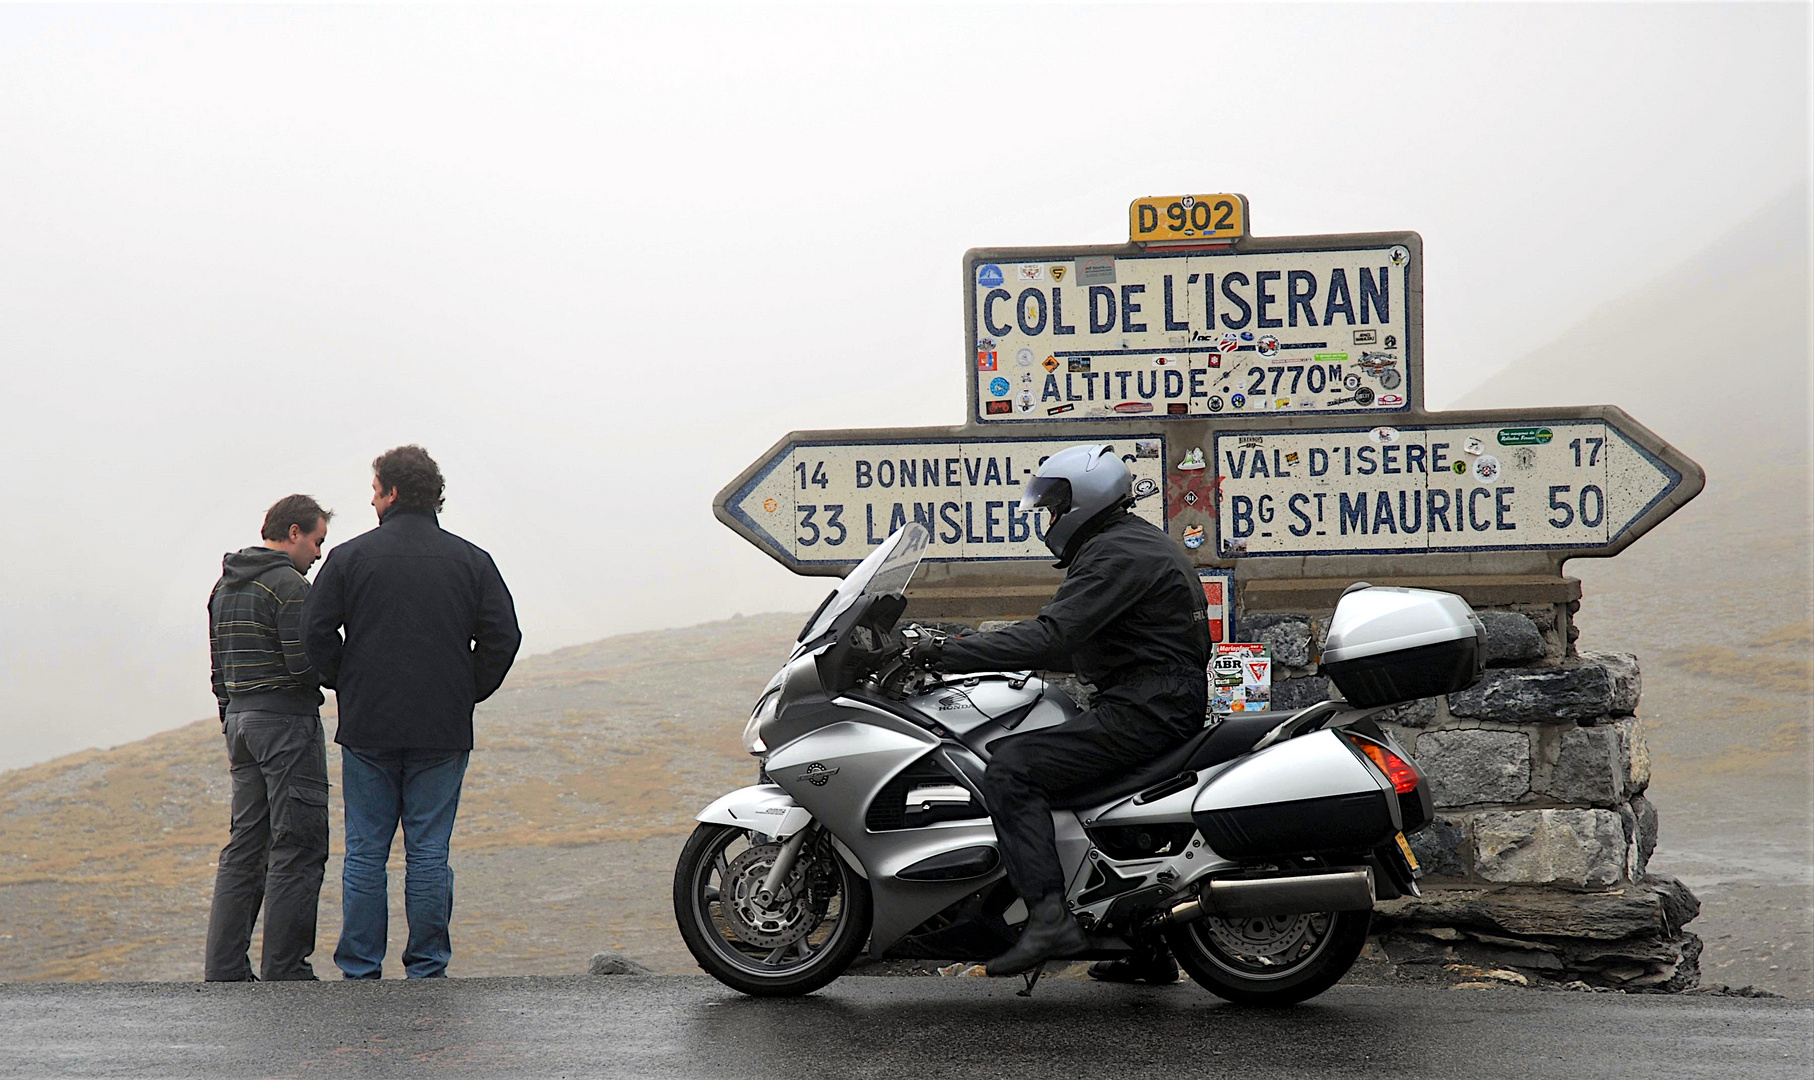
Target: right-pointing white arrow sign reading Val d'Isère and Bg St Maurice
(1581, 482)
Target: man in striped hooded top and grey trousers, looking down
(271, 714)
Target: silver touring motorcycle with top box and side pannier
(1256, 850)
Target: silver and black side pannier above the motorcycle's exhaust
(1311, 796)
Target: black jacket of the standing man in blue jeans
(431, 631)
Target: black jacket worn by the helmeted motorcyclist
(1129, 620)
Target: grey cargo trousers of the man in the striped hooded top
(278, 849)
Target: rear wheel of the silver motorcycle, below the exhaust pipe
(1276, 961)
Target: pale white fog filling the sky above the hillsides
(598, 262)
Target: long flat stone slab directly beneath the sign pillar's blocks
(1550, 914)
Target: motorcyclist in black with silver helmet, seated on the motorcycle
(1129, 620)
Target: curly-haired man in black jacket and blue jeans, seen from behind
(429, 633)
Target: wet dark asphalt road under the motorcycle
(899, 1028)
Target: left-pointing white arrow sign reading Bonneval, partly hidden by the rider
(823, 500)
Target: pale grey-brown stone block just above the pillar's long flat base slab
(1581, 849)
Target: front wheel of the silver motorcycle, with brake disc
(783, 945)
